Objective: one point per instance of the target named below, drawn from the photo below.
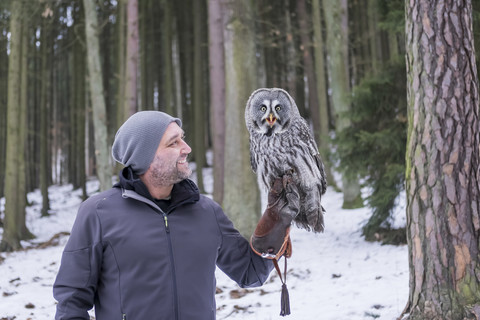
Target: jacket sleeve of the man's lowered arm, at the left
(77, 278)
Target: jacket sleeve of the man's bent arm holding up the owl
(237, 259)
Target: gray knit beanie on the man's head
(137, 140)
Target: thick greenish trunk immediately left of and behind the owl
(241, 194)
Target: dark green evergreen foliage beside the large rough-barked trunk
(373, 146)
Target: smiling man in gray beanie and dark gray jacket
(147, 248)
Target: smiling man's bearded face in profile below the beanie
(170, 165)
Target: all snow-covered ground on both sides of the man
(333, 275)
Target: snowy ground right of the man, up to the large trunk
(334, 275)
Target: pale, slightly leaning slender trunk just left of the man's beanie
(102, 154)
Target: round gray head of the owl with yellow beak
(270, 111)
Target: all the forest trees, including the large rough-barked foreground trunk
(390, 89)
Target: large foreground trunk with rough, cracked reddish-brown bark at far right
(443, 161)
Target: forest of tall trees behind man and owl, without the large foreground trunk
(72, 71)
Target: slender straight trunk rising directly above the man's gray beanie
(131, 61)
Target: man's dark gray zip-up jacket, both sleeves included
(132, 260)
